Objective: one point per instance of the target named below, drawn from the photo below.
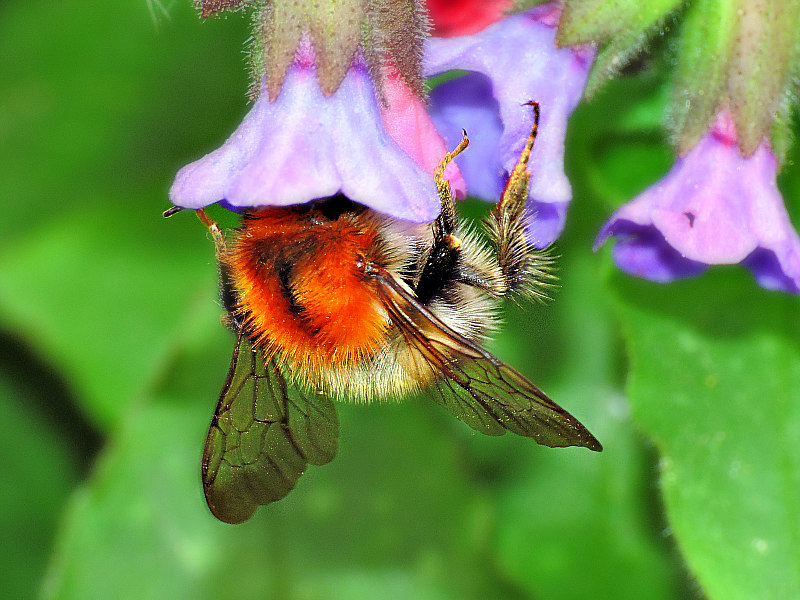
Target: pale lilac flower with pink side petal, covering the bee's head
(305, 145)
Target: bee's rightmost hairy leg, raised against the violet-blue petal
(525, 268)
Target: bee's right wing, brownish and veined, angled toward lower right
(475, 386)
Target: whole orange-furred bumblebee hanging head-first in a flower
(331, 300)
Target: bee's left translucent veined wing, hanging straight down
(263, 434)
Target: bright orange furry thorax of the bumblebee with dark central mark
(301, 294)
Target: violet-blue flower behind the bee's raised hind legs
(511, 62)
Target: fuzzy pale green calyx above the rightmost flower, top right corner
(736, 58)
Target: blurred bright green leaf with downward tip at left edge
(81, 314)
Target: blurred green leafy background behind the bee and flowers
(112, 355)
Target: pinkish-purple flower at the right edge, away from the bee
(713, 207)
